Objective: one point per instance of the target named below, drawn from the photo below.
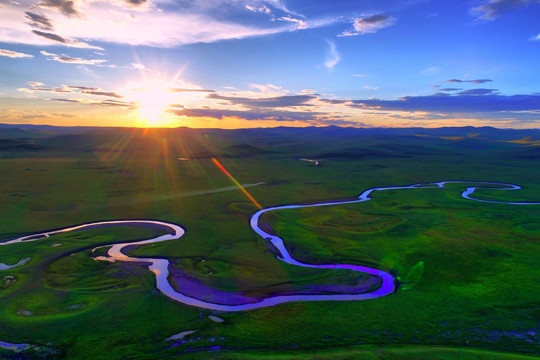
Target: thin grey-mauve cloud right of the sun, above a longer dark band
(266, 102)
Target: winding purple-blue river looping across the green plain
(160, 267)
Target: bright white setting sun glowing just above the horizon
(152, 99)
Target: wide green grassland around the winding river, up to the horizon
(467, 271)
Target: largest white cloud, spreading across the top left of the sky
(118, 22)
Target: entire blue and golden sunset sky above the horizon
(266, 63)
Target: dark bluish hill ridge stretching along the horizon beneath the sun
(330, 142)
